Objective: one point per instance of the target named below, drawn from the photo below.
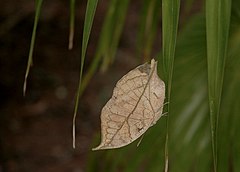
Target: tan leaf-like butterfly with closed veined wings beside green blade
(136, 105)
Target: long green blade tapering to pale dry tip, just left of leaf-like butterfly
(90, 12)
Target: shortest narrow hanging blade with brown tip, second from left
(71, 24)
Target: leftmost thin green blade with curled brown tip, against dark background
(30, 58)
